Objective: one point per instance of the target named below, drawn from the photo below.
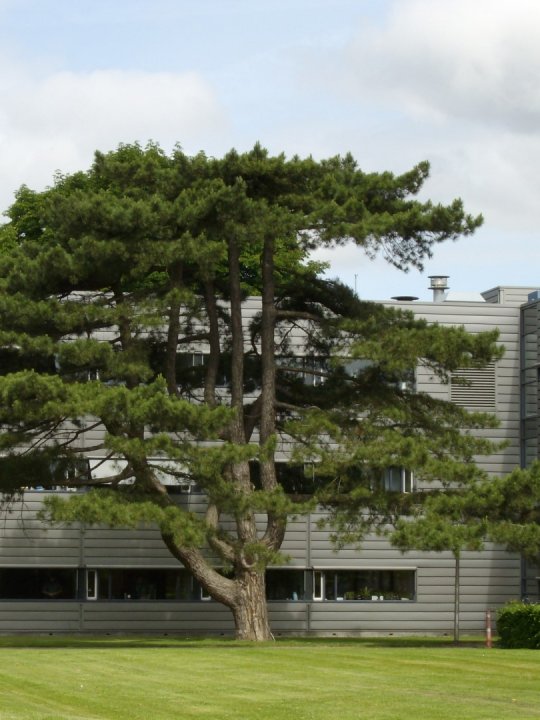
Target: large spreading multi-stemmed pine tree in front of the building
(119, 270)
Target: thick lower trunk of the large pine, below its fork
(249, 610)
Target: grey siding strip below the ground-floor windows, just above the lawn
(212, 618)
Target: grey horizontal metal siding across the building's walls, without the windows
(488, 579)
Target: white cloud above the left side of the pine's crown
(56, 122)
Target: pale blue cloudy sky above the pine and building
(394, 82)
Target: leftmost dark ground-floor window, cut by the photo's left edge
(38, 583)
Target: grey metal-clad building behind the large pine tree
(88, 579)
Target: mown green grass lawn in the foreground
(58, 678)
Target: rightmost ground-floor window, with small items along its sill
(364, 584)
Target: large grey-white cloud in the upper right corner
(476, 60)
